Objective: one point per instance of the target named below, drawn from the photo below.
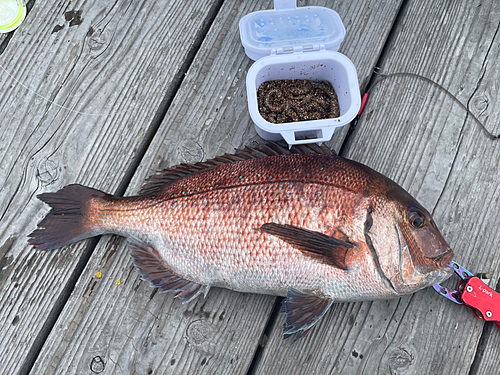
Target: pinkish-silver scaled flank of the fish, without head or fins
(211, 237)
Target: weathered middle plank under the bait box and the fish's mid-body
(209, 116)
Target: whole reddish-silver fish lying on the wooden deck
(304, 224)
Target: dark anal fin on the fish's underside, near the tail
(159, 276)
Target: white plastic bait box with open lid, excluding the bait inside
(299, 43)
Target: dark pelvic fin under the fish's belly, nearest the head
(303, 310)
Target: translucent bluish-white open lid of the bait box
(265, 31)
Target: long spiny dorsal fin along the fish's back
(156, 183)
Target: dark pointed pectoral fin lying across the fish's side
(317, 245)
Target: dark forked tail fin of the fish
(74, 217)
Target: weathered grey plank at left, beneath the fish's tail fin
(81, 83)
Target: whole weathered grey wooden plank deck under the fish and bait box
(104, 93)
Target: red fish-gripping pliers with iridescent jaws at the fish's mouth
(473, 293)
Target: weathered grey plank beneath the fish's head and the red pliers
(415, 134)
